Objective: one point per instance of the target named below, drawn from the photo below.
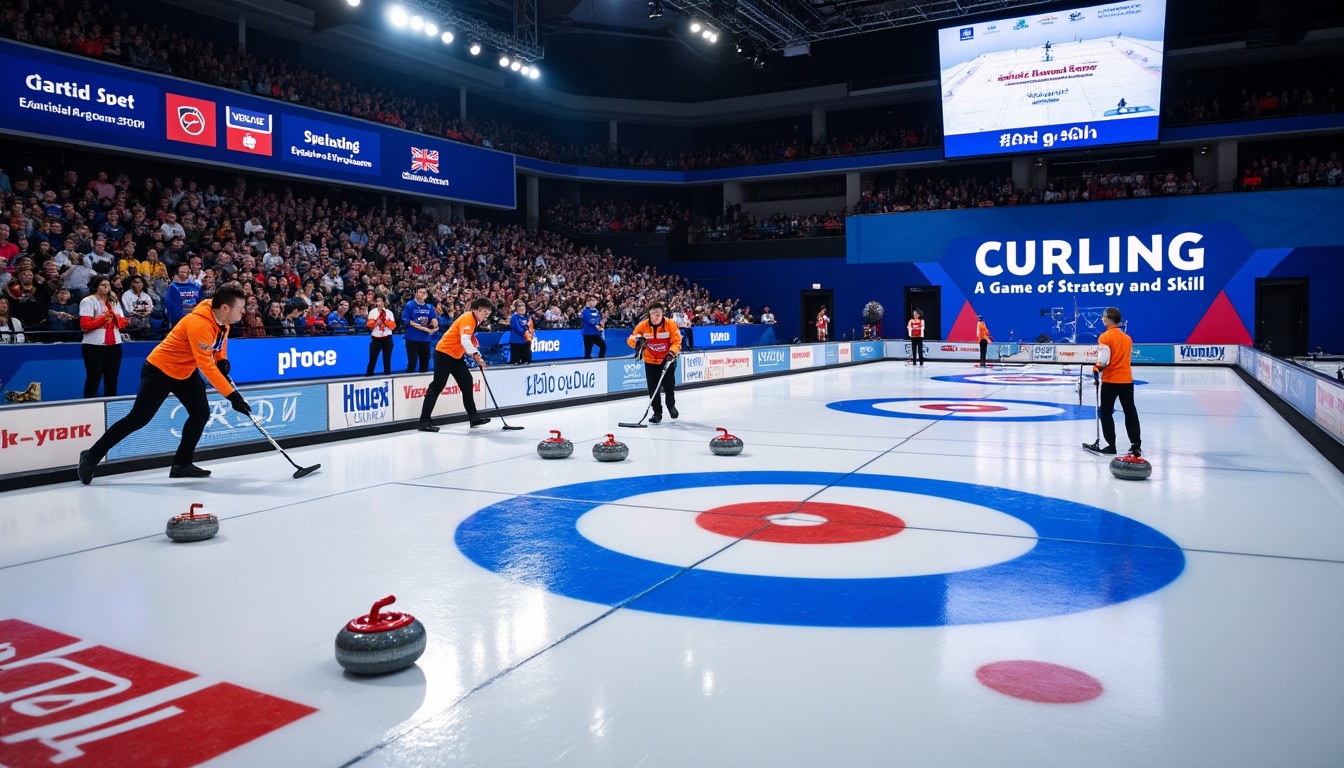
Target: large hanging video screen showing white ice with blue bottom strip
(1084, 77)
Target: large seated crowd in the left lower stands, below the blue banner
(307, 266)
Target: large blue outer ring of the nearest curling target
(1084, 559)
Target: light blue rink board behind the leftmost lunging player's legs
(284, 412)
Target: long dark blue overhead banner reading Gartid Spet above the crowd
(72, 99)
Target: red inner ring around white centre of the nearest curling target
(842, 524)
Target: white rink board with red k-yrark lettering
(48, 436)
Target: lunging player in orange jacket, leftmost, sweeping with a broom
(200, 342)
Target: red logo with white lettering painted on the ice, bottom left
(68, 703)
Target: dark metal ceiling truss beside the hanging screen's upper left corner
(776, 26)
